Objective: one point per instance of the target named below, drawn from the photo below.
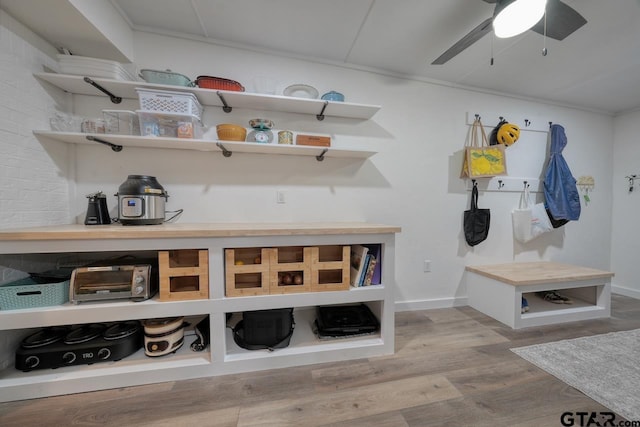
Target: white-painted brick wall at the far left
(34, 180)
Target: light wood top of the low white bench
(534, 273)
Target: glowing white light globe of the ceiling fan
(513, 17)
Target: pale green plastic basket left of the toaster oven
(27, 293)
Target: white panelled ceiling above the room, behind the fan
(596, 68)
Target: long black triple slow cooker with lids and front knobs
(59, 346)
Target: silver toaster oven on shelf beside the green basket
(98, 283)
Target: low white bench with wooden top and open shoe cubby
(497, 291)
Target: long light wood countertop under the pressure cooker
(117, 231)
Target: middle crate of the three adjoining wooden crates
(290, 262)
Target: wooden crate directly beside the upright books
(330, 268)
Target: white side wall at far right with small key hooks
(626, 226)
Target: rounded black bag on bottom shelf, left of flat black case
(264, 329)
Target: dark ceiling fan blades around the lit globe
(561, 20)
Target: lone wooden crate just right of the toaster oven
(184, 274)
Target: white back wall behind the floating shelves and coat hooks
(412, 181)
